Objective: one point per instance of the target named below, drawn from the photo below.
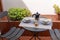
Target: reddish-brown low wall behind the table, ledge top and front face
(5, 25)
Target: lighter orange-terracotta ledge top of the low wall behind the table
(53, 17)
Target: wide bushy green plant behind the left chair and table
(18, 13)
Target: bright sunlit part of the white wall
(42, 6)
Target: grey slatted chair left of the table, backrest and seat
(14, 32)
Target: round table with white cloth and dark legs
(31, 27)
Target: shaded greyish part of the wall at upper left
(12, 3)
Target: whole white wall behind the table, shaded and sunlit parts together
(42, 6)
